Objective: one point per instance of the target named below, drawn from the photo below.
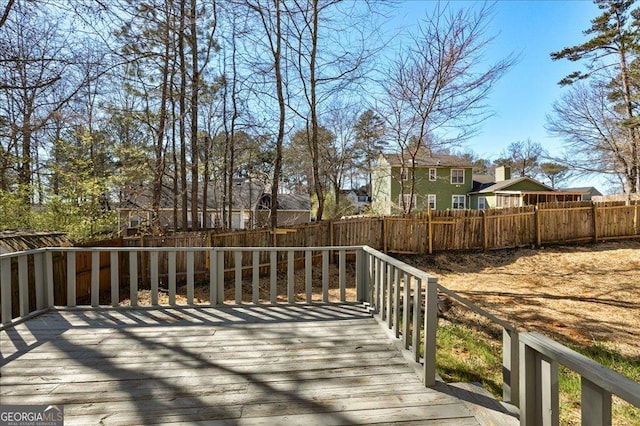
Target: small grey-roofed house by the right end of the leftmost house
(293, 209)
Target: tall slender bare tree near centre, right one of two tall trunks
(326, 64)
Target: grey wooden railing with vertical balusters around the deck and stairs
(403, 297)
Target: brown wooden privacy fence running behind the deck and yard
(552, 223)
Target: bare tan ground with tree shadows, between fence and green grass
(576, 294)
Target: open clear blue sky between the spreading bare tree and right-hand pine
(531, 29)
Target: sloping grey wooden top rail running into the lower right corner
(607, 379)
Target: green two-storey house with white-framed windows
(441, 182)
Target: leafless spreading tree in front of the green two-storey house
(434, 89)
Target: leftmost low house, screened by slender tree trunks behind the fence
(136, 212)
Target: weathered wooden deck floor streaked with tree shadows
(287, 364)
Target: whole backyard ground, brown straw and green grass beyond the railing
(587, 297)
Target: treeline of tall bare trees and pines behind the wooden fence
(165, 103)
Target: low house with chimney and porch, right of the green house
(503, 191)
